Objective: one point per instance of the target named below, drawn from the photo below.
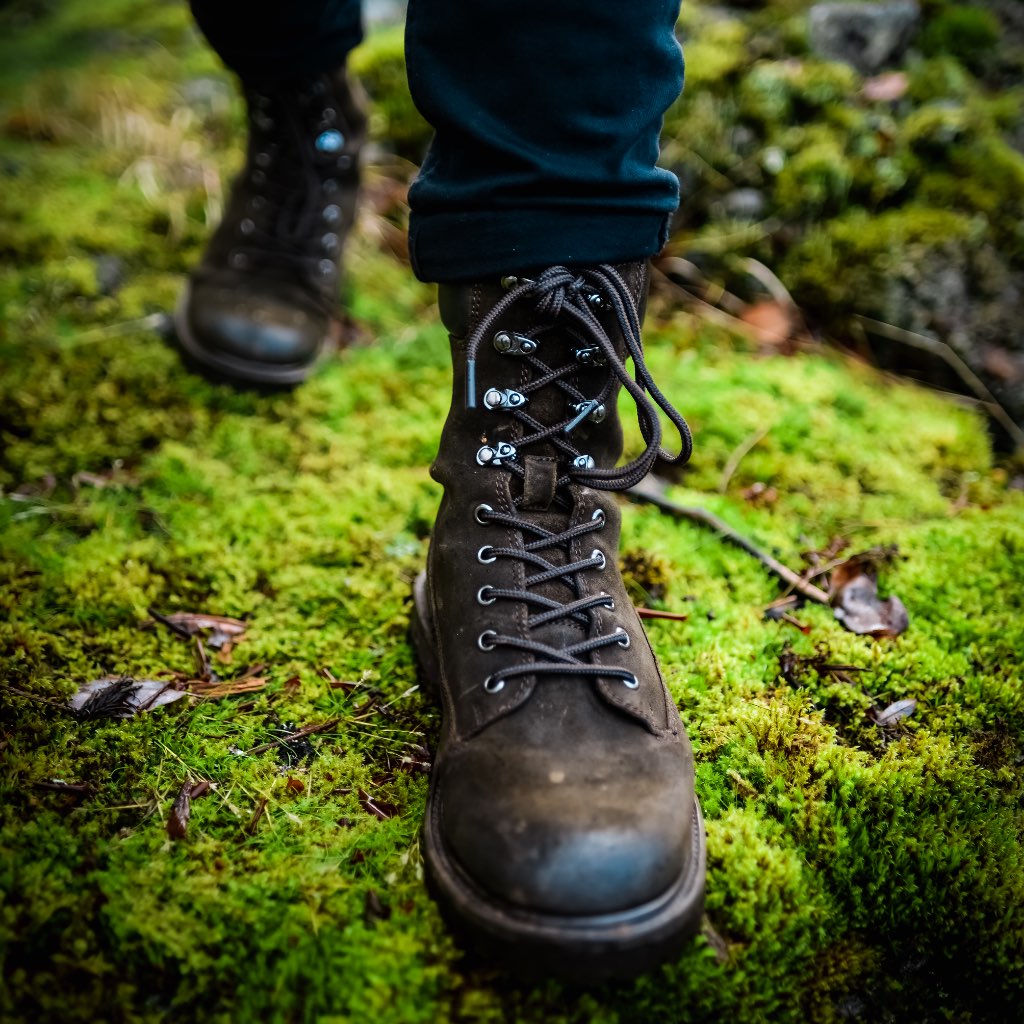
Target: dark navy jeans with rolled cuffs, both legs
(547, 116)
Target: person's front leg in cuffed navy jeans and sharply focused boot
(562, 824)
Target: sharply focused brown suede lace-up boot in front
(562, 830)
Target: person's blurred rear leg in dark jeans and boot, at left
(263, 307)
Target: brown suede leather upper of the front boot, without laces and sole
(560, 794)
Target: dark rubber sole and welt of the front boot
(582, 950)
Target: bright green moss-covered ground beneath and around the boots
(857, 872)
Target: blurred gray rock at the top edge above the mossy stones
(868, 36)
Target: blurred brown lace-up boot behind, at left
(263, 307)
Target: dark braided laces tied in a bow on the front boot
(567, 302)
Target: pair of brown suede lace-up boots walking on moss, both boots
(562, 831)
